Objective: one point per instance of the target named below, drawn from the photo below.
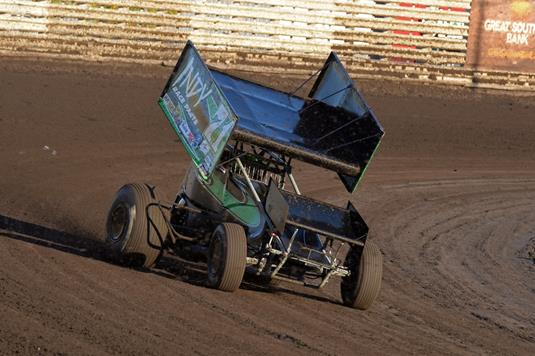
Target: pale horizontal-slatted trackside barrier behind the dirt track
(420, 40)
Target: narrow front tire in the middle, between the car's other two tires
(227, 257)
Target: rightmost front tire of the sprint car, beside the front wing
(362, 286)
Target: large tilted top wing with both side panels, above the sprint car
(334, 128)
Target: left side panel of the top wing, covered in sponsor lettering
(197, 110)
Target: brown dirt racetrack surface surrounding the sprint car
(450, 200)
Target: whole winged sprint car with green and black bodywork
(239, 209)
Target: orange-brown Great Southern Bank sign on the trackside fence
(502, 35)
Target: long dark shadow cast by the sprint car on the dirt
(84, 245)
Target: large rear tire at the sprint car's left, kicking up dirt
(136, 229)
